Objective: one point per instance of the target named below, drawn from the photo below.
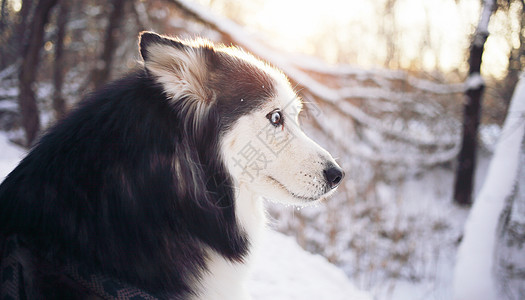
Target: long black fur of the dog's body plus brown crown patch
(100, 187)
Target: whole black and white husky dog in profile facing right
(157, 180)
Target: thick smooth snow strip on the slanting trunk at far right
(473, 277)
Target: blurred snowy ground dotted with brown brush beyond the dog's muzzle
(401, 243)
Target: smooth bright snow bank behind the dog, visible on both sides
(282, 271)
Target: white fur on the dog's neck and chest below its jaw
(226, 279)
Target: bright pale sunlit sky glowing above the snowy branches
(430, 34)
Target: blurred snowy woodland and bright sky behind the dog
(383, 83)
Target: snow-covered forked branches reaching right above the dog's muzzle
(297, 66)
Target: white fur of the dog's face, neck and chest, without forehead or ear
(302, 156)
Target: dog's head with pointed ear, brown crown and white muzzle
(260, 140)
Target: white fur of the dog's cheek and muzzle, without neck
(294, 173)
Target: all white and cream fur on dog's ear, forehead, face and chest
(292, 171)
